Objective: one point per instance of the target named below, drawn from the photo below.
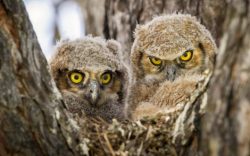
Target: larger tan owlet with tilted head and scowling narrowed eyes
(172, 59)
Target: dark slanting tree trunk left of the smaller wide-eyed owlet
(32, 116)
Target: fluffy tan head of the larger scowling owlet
(170, 47)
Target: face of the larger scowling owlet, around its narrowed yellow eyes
(156, 69)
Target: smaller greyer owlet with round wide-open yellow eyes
(91, 77)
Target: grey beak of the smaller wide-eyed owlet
(93, 92)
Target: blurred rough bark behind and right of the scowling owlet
(224, 130)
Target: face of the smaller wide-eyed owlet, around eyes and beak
(96, 88)
